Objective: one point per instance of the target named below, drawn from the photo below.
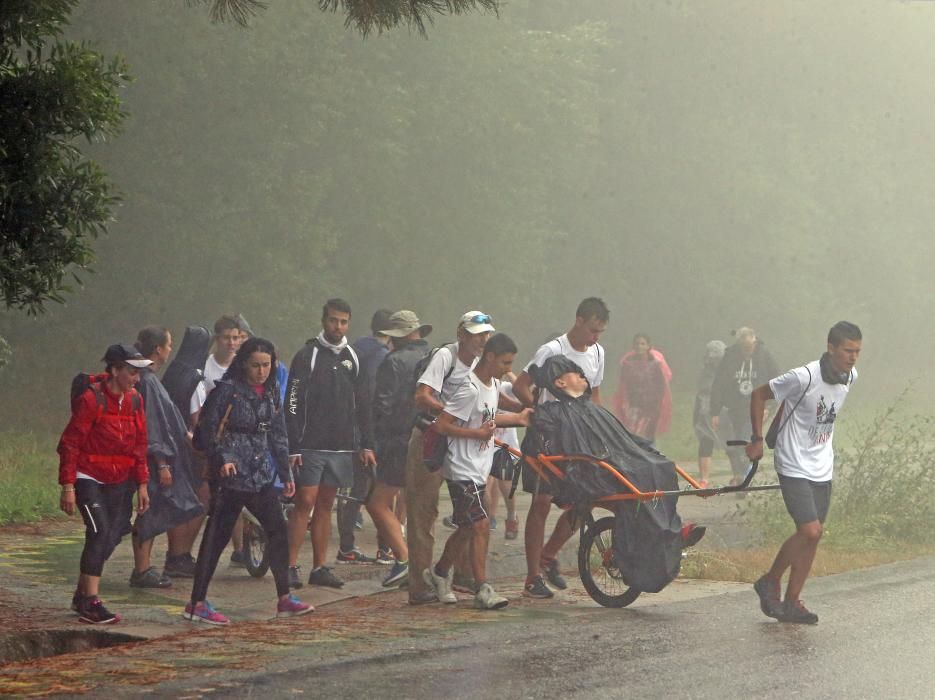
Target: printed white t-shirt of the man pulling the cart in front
(803, 446)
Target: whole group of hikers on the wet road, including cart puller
(389, 419)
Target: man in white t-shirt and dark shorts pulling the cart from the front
(812, 397)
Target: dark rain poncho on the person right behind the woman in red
(167, 443)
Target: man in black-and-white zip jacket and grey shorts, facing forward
(328, 420)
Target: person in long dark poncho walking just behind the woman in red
(173, 500)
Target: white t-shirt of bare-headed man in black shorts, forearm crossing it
(472, 405)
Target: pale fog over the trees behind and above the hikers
(699, 165)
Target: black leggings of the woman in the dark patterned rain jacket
(226, 505)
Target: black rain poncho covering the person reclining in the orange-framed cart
(647, 534)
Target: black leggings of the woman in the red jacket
(106, 510)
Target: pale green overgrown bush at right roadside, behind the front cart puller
(884, 486)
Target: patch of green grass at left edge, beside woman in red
(28, 478)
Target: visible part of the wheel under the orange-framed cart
(598, 567)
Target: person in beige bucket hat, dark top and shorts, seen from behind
(394, 411)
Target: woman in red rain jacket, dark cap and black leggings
(102, 457)
